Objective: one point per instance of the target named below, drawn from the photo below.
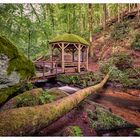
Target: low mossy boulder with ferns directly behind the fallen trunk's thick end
(34, 97)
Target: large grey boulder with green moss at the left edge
(15, 69)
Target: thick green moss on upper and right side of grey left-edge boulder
(17, 62)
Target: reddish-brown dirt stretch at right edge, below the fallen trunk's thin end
(122, 104)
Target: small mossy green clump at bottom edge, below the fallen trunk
(75, 131)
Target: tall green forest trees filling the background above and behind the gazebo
(31, 26)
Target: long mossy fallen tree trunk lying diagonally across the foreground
(30, 120)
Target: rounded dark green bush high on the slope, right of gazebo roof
(119, 30)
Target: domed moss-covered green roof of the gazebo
(70, 38)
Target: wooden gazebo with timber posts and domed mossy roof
(74, 45)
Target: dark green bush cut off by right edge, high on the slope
(136, 43)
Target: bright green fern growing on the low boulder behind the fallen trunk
(46, 98)
